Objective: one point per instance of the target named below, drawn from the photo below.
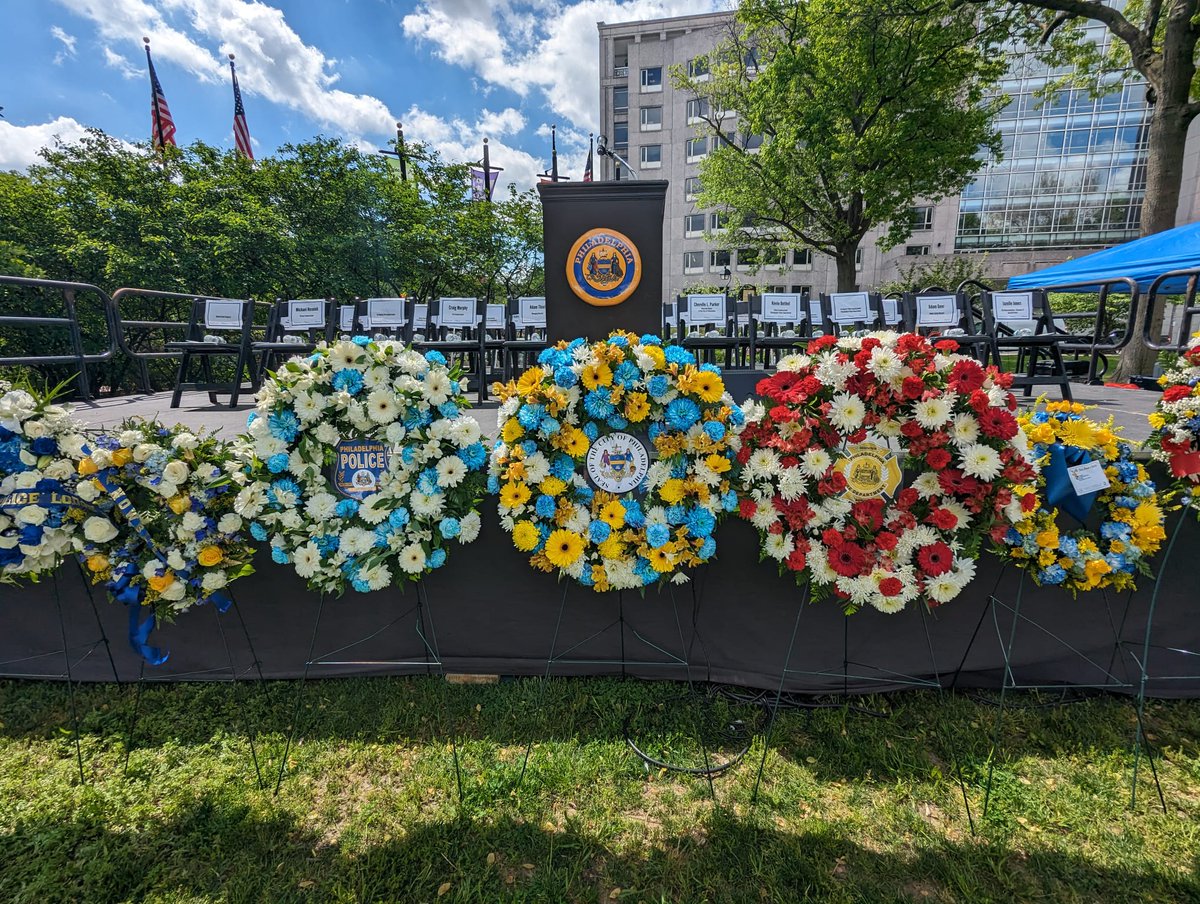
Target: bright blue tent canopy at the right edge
(1142, 260)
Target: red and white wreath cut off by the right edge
(1175, 439)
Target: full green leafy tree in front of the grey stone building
(861, 109)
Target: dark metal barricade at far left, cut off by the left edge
(76, 354)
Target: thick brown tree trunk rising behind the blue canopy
(1165, 175)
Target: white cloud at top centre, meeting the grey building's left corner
(543, 45)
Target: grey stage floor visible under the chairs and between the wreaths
(1129, 409)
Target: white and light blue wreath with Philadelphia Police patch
(362, 465)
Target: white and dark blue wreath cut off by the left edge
(39, 513)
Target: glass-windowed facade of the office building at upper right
(1073, 172)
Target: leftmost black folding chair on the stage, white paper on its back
(212, 318)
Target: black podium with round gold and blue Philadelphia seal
(604, 258)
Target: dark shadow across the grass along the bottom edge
(214, 849)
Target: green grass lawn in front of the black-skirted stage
(855, 807)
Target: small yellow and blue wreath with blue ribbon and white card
(1131, 516)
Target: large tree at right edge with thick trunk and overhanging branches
(1157, 40)
